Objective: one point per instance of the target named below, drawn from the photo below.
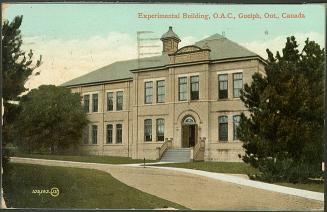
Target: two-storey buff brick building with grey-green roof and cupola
(185, 98)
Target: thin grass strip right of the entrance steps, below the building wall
(220, 167)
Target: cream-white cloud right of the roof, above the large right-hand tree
(278, 43)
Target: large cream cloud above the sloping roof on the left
(63, 60)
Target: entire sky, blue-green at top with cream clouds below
(75, 39)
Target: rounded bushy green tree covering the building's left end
(50, 117)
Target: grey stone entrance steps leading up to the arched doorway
(177, 155)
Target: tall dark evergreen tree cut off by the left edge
(17, 67)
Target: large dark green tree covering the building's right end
(283, 133)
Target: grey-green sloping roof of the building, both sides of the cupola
(221, 48)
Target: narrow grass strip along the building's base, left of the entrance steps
(85, 158)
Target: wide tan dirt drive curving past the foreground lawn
(196, 192)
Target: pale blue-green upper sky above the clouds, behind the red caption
(74, 21)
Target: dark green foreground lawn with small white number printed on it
(79, 188)
